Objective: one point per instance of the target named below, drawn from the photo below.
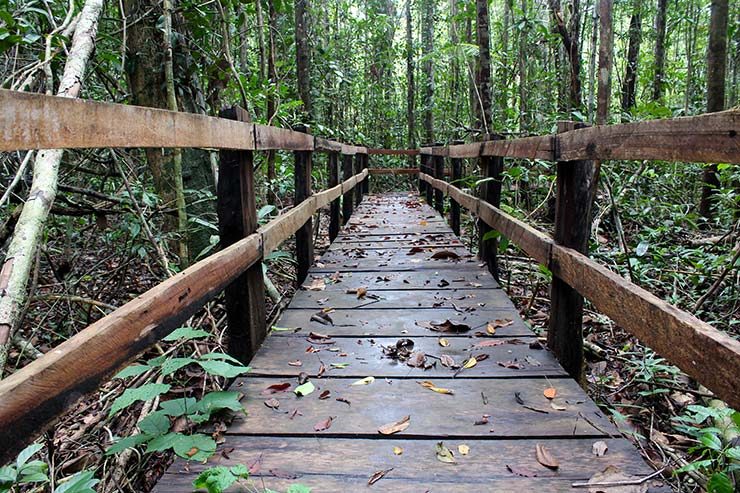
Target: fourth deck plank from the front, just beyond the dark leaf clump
(400, 322)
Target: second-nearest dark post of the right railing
(490, 191)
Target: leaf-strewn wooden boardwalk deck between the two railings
(329, 440)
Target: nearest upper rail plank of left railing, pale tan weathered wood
(36, 121)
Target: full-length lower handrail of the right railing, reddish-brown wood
(703, 352)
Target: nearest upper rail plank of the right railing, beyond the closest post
(709, 138)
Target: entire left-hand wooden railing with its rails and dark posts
(32, 397)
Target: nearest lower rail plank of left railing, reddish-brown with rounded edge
(34, 395)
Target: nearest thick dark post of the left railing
(237, 218)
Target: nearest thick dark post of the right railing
(572, 229)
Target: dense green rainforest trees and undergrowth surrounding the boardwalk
(86, 231)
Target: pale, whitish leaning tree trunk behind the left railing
(30, 227)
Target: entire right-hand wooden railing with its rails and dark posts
(703, 352)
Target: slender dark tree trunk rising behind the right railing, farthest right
(716, 71)
